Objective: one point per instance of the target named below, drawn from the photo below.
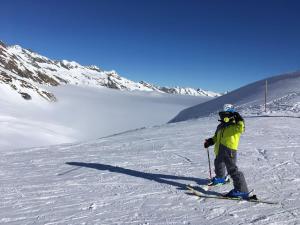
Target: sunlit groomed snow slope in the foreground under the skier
(139, 177)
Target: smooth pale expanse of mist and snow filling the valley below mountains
(82, 113)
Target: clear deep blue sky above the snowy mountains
(217, 45)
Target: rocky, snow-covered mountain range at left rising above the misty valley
(26, 72)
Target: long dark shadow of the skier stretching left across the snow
(160, 178)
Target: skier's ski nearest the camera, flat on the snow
(252, 198)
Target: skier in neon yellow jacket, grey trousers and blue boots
(226, 141)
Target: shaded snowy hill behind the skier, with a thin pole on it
(283, 99)
